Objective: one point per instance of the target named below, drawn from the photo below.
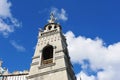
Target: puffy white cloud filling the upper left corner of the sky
(7, 22)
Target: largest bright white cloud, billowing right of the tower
(98, 62)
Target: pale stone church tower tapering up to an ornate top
(51, 59)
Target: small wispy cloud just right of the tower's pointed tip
(60, 14)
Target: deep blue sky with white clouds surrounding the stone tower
(94, 23)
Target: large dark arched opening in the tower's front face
(47, 54)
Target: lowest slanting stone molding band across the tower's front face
(47, 72)
